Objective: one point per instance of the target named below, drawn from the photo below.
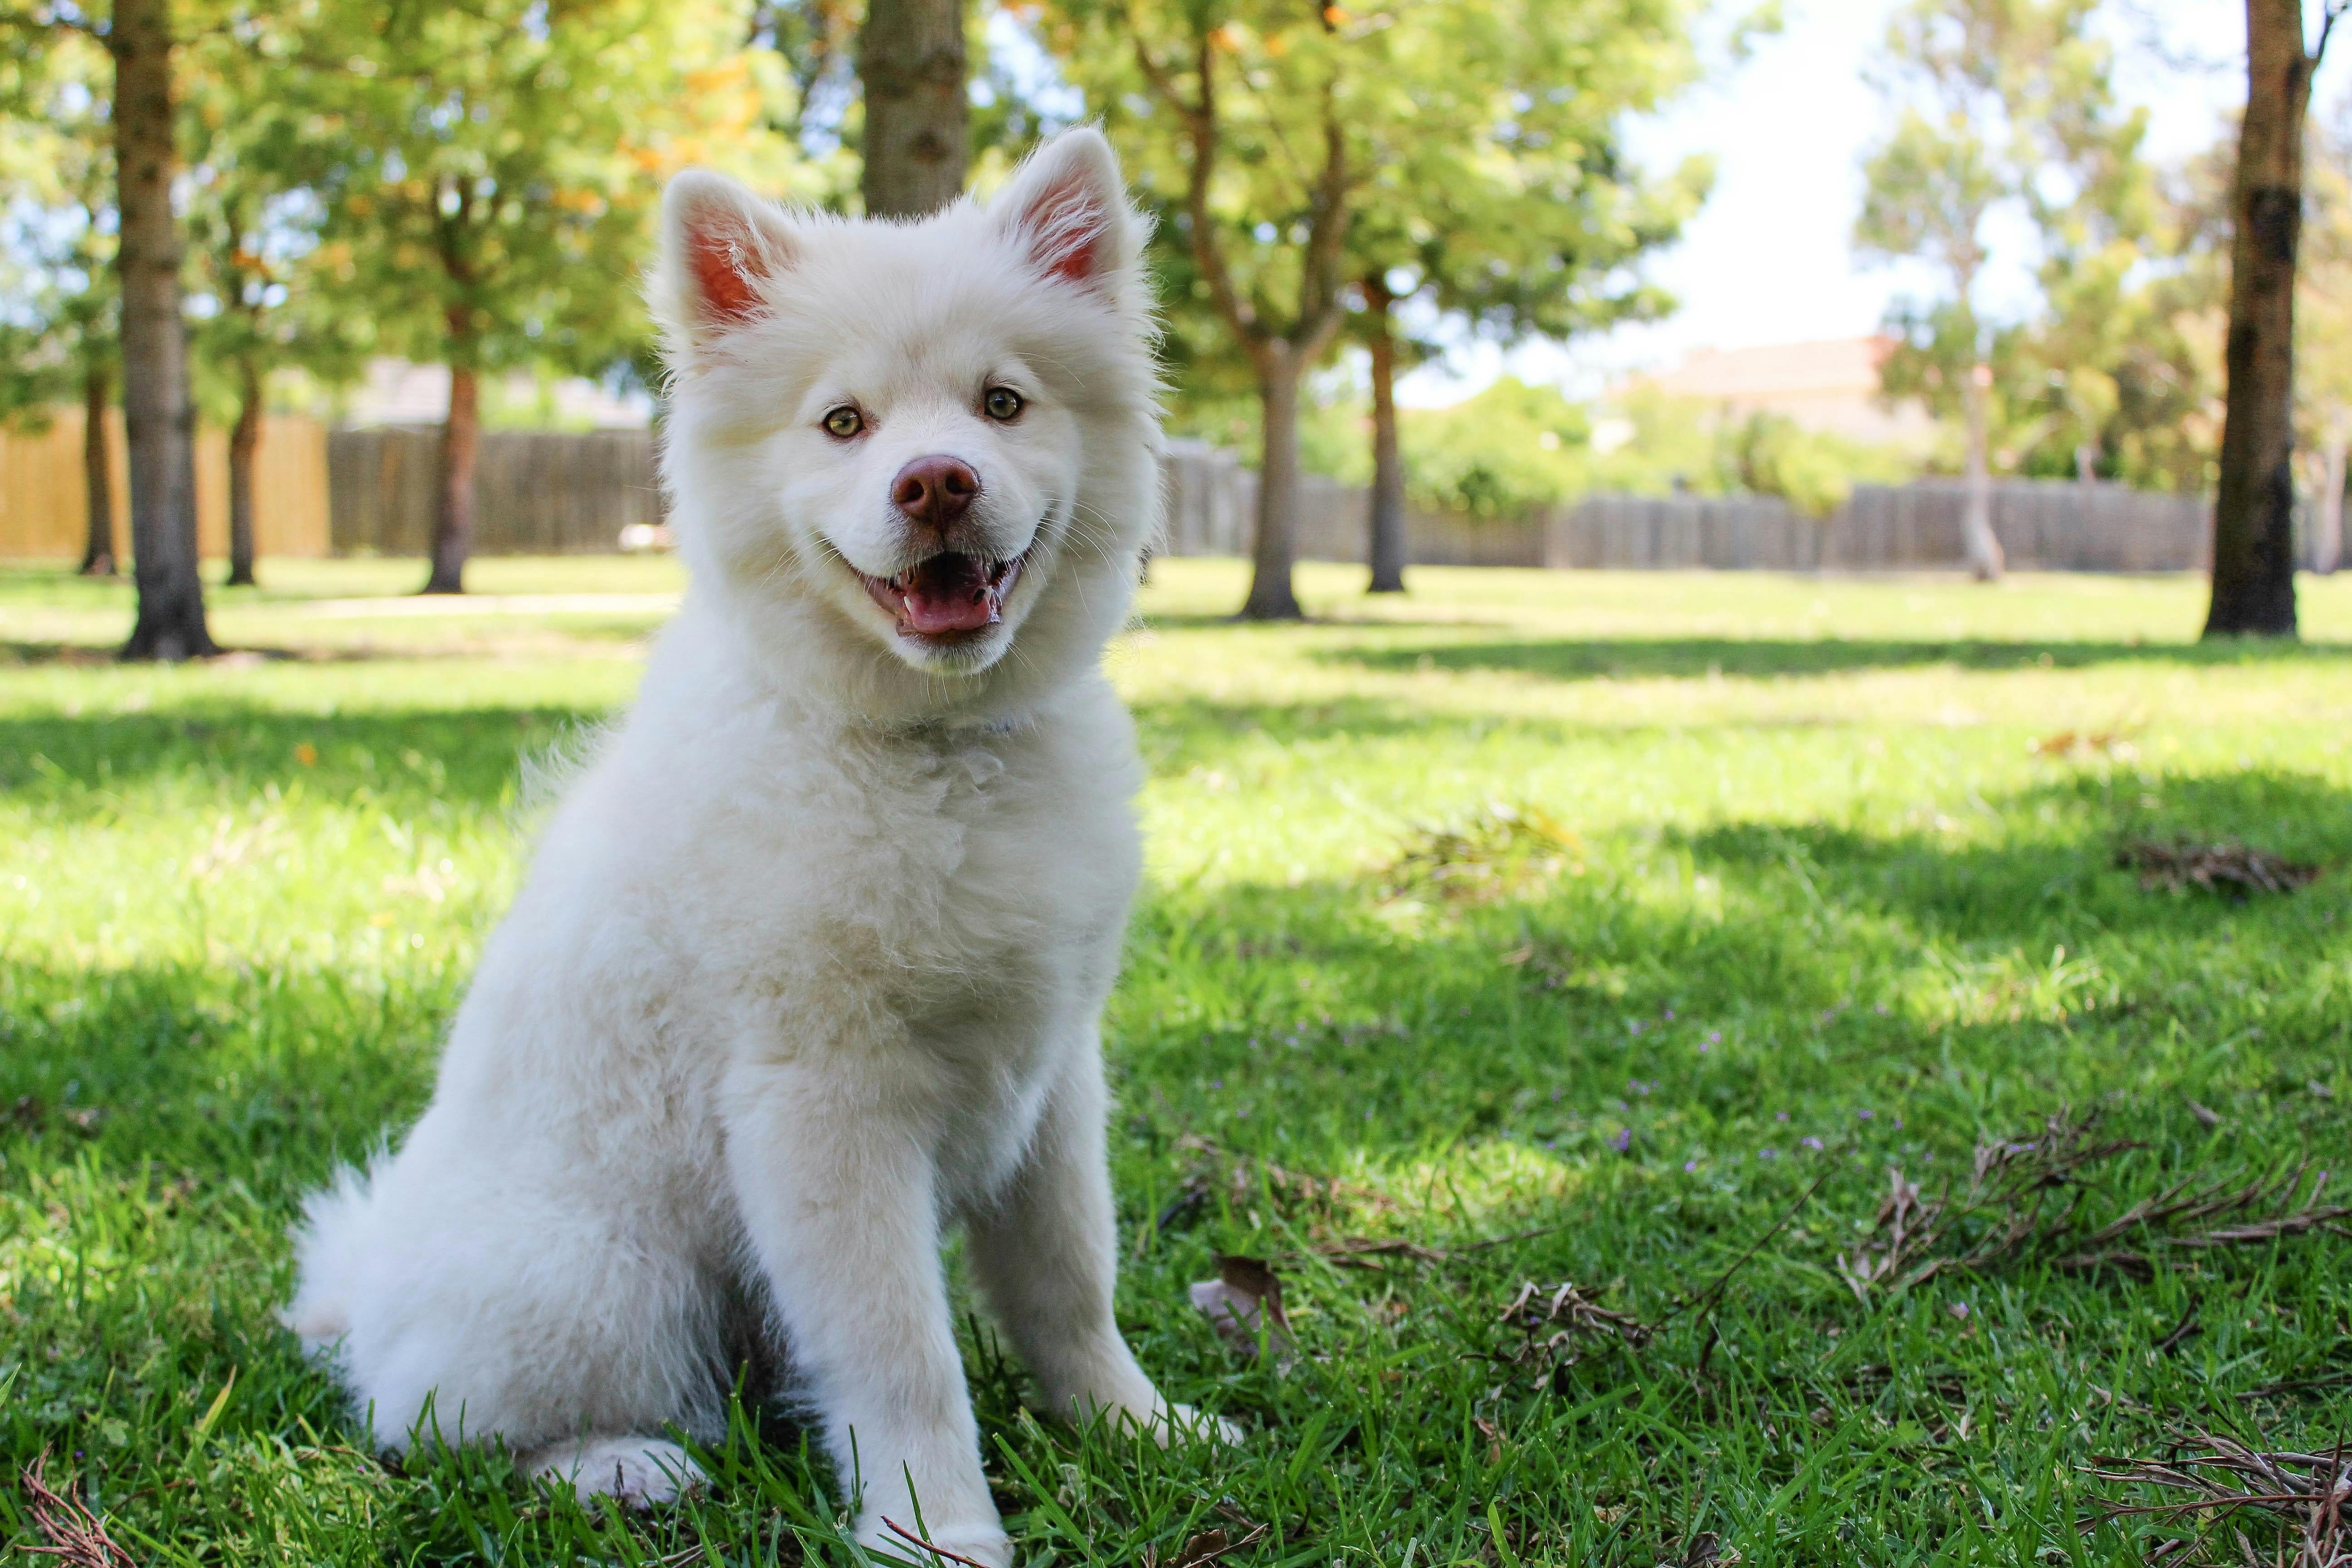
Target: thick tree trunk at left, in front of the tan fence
(159, 415)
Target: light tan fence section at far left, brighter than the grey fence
(46, 497)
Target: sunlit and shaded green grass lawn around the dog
(1532, 930)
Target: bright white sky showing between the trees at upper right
(1770, 257)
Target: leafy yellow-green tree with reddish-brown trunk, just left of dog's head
(493, 170)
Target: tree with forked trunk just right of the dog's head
(1245, 121)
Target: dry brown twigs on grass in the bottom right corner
(2221, 1487)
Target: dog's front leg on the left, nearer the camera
(834, 1174)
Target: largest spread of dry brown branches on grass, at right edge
(2024, 1205)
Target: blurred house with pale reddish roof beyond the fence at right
(1829, 384)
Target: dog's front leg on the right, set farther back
(1048, 1259)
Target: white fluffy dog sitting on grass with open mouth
(813, 956)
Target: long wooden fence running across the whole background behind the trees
(373, 492)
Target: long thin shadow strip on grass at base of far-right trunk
(1765, 657)
